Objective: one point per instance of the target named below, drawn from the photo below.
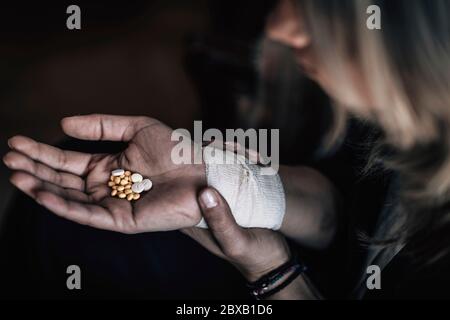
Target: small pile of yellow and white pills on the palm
(128, 185)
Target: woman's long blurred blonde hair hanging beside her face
(407, 67)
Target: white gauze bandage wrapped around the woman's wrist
(256, 200)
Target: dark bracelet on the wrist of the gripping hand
(260, 288)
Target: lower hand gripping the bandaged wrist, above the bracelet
(253, 251)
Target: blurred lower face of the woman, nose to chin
(287, 26)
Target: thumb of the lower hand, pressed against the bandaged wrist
(230, 236)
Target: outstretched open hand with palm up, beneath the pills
(74, 185)
